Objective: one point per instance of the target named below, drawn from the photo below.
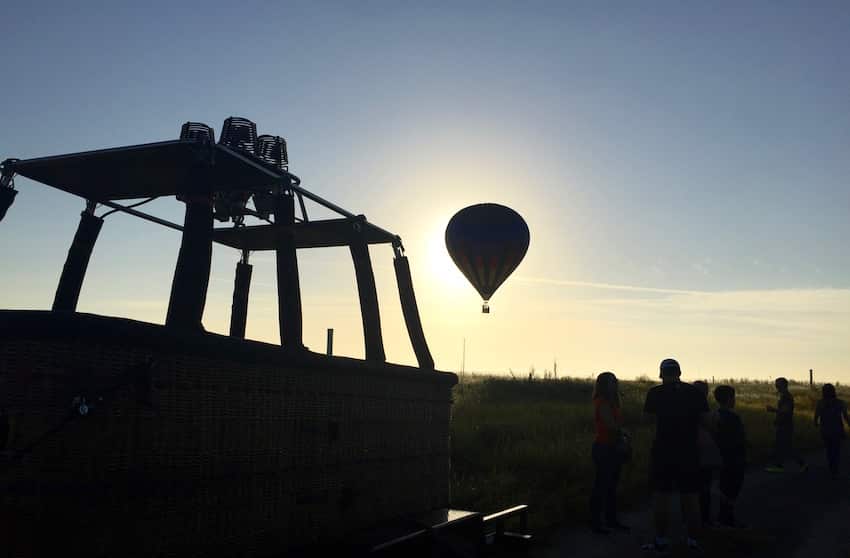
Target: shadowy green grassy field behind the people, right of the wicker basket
(520, 441)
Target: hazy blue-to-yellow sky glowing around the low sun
(682, 167)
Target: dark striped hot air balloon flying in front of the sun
(487, 242)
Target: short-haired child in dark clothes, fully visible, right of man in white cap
(732, 442)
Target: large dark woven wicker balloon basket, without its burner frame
(204, 444)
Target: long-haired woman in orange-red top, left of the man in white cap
(607, 458)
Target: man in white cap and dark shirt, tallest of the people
(679, 409)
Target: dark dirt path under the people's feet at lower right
(790, 515)
